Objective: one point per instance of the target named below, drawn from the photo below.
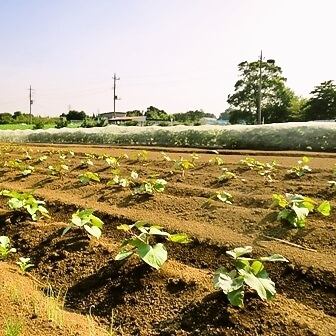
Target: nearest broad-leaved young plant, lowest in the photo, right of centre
(247, 271)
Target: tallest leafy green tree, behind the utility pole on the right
(275, 96)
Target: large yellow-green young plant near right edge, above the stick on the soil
(294, 208)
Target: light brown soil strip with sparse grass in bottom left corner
(24, 304)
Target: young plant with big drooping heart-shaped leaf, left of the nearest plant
(139, 243)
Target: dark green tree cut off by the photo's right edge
(322, 104)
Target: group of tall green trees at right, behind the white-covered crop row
(262, 82)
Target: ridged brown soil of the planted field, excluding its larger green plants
(178, 299)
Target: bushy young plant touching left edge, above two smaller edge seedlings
(25, 200)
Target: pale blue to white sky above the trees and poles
(177, 55)
